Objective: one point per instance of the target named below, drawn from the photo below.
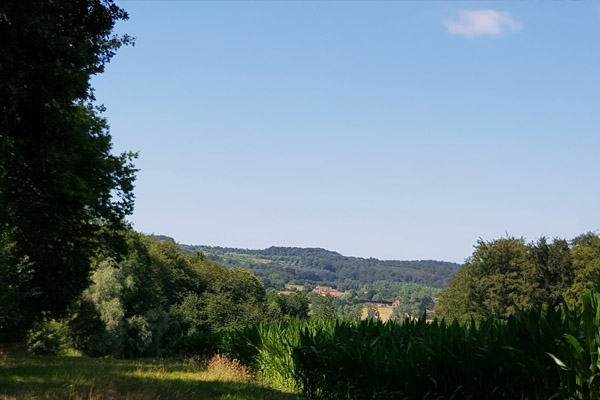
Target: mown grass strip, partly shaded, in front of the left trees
(23, 376)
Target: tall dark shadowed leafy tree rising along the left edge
(63, 193)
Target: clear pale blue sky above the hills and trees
(389, 129)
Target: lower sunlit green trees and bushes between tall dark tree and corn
(155, 299)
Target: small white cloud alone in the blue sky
(482, 23)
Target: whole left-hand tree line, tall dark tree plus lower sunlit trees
(69, 261)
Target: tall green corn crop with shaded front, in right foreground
(534, 354)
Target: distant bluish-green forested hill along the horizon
(277, 266)
